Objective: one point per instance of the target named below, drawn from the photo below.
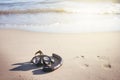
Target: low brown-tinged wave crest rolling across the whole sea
(59, 10)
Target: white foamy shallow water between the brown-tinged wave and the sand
(66, 23)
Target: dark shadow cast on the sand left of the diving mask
(26, 66)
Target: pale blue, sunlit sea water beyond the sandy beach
(61, 16)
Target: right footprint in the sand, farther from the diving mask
(105, 62)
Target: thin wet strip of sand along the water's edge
(62, 33)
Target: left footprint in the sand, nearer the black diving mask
(82, 61)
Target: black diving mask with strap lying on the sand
(48, 63)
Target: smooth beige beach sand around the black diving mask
(86, 56)
